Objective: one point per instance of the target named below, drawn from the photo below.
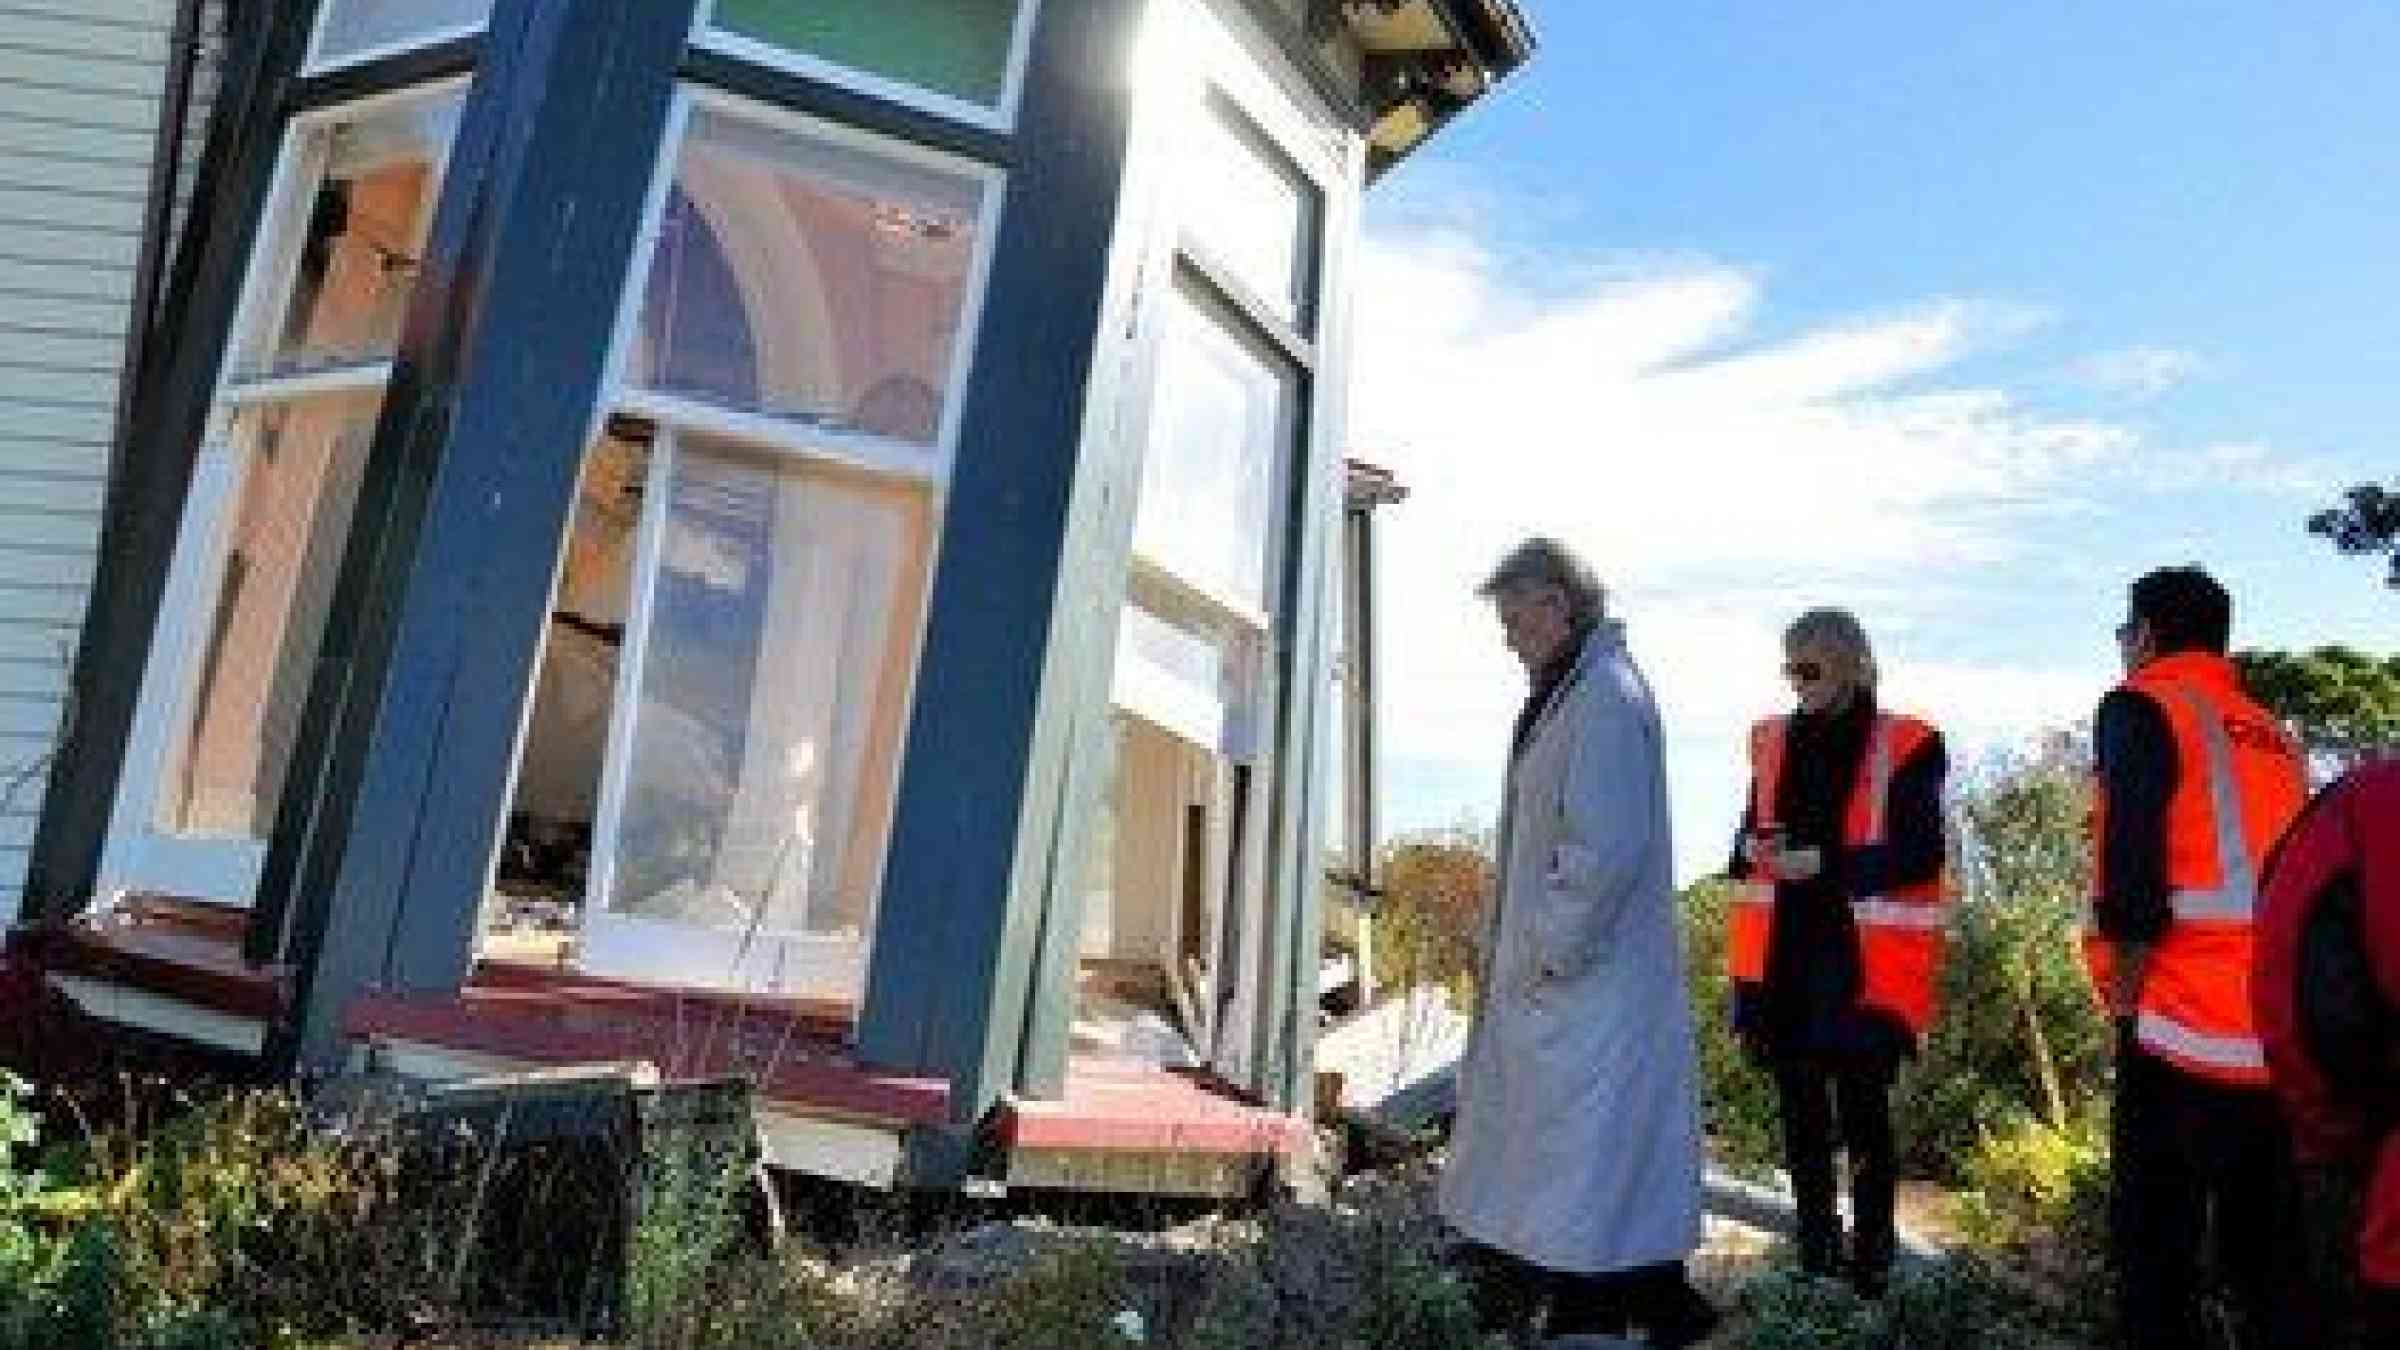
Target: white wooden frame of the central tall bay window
(688, 955)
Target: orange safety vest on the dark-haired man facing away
(2238, 787)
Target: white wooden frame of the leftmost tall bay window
(140, 854)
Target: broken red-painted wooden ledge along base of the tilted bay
(1120, 1125)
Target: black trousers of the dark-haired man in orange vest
(2204, 1171)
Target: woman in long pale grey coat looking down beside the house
(1576, 1154)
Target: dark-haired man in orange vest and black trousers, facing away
(2195, 787)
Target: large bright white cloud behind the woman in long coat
(1722, 484)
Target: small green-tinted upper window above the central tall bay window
(956, 56)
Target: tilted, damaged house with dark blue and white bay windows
(757, 537)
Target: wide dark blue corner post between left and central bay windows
(472, 482)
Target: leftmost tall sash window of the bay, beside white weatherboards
(272, 494)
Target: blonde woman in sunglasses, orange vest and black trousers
(1835, 936)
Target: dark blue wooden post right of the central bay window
(985, 753)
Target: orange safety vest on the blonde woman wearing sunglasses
(1902, 931)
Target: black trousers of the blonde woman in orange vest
(1849, 1101)
